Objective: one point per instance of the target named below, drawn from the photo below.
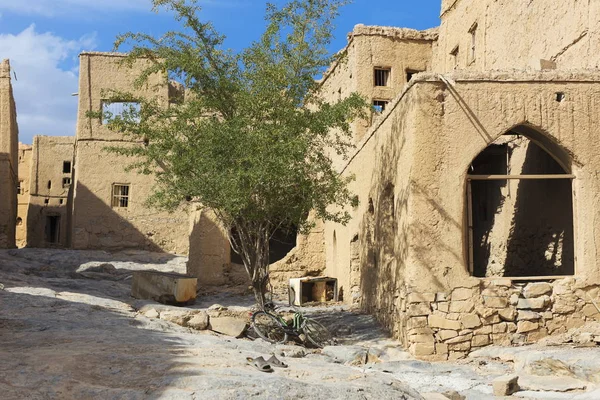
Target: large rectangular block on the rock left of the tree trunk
(166, 288)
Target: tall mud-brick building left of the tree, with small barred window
(100, 219)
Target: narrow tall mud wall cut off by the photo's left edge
(9, 142)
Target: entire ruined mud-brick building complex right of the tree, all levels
(477, 180)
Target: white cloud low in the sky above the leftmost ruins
(43, 86)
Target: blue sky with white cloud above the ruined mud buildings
(43, 38)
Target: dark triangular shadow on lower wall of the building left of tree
(106, 229)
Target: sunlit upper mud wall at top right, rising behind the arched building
(505, 35)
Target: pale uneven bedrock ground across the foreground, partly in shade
(70, 330)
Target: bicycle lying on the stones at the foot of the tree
(273, 328)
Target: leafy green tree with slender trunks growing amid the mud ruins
(251, 139)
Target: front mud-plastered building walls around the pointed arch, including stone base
(412, 224)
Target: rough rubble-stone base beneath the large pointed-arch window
(447, 326)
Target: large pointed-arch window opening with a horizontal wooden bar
(520, 211)
